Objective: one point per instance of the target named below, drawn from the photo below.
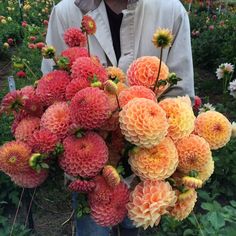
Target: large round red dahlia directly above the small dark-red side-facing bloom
(84, 156)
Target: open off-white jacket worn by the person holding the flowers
(140, 21)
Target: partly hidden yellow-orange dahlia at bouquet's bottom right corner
(184, 207)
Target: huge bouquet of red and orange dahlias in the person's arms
(90, 118)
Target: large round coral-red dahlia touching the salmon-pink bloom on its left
(90, 108)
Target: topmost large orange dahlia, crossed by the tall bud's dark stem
(144, 71)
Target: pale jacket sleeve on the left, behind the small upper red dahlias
(56, 27)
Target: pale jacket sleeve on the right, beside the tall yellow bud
(179, 58)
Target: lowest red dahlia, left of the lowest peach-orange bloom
(108, 204)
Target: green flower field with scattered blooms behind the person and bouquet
(213, 28)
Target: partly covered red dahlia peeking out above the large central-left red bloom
(75, 86)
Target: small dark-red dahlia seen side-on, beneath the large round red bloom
(82, 186)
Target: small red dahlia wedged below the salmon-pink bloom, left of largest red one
(42, 141)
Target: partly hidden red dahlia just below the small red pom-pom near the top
(73, 53)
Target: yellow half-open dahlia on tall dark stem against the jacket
(162, 38)
